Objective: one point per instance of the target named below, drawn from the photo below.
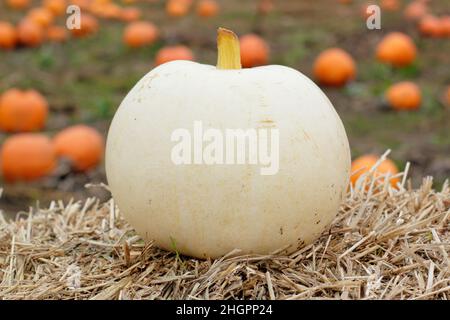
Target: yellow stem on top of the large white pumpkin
(229, 51)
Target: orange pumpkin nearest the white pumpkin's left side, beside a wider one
(81, 144)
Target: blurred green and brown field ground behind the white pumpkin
(84, 79)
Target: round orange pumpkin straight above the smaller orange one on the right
(397, 49)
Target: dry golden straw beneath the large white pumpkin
(384, 244)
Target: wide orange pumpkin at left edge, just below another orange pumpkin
(27, 156)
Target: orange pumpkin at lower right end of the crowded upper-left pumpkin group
(139, 34)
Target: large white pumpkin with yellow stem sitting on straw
(208, 210)
